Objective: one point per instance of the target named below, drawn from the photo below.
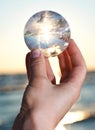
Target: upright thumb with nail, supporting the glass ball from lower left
(36, 67)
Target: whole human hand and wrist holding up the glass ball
(45, 103)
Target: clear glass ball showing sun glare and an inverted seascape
(48, 31)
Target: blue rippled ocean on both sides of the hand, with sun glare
(80, 117)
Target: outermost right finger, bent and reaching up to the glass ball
(78, 64)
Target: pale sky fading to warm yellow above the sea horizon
(14, 14)
